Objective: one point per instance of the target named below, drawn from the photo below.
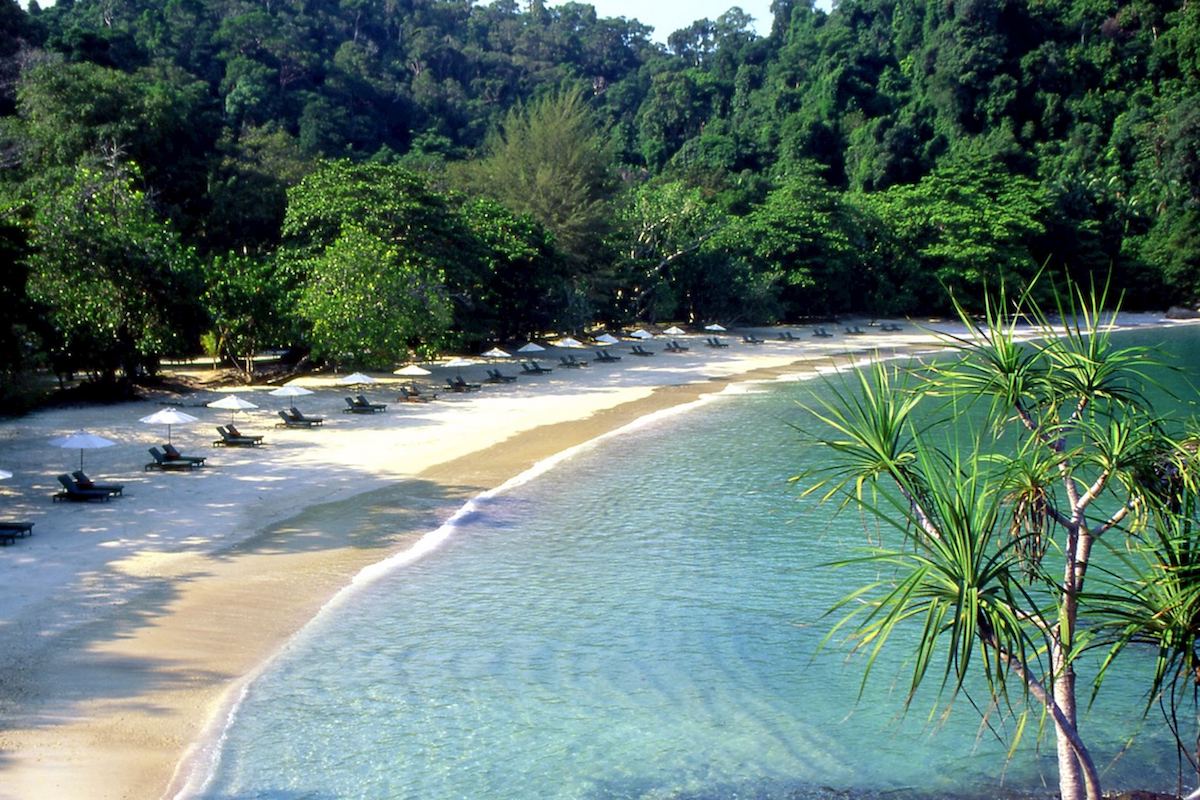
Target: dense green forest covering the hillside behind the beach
(368, 179)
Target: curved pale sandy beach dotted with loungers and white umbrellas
(129, 625)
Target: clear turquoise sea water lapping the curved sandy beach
(641, 622)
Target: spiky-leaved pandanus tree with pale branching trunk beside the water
(1001, 470)
